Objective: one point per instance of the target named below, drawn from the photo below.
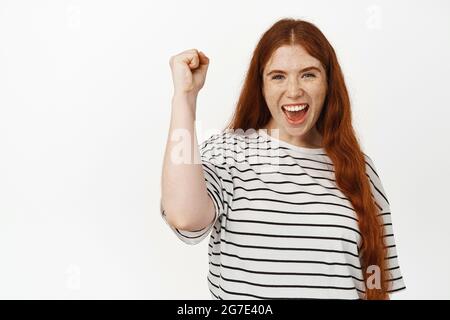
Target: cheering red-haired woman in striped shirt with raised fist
(294, 207)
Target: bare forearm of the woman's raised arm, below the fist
(184, 196)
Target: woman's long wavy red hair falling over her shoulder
(334, 124)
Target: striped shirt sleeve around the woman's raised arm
(218, 184)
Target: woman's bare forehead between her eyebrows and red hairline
(291, 57)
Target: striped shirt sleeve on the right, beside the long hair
(395, 278)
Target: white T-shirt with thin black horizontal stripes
(282, 228)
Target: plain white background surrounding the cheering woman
(85, 92)
